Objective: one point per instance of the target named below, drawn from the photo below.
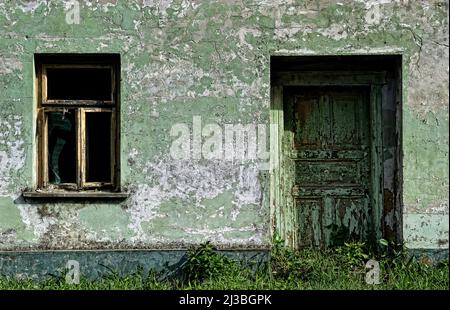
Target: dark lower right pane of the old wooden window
(98, 147)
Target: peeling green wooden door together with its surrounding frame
(327, 189)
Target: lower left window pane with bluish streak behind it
(61, 147)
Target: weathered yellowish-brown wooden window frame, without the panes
(81, 107)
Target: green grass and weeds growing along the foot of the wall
(309, 269)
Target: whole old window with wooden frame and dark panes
(77, 130)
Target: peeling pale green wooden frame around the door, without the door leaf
(282, 211)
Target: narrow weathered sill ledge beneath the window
(75, 195)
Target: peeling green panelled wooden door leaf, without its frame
(328, 157)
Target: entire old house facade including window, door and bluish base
(130, 130)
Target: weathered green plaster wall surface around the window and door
(211, 59)
